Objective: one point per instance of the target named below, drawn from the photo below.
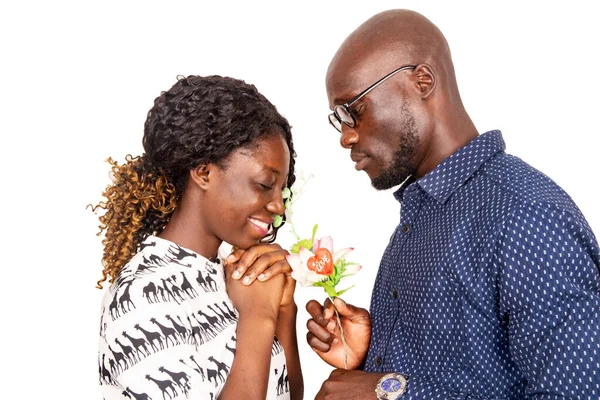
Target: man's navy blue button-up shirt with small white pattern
(490, 285)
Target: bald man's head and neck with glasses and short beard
(408, 124)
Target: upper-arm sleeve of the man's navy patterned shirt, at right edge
(549, 293)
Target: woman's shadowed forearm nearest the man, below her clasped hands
(286, 333)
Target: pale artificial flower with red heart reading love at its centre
(320, 266)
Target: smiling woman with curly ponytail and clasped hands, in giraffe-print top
(175, 322)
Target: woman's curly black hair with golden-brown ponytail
(199, 120)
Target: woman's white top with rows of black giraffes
(168, 329)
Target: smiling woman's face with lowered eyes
(243, 198)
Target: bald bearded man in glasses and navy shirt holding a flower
(490, 285)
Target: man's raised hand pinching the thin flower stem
(324, 334)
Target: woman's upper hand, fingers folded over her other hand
(262, 262)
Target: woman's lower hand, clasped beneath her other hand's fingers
(261, 300)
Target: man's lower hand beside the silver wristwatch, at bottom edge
(349, 385)
